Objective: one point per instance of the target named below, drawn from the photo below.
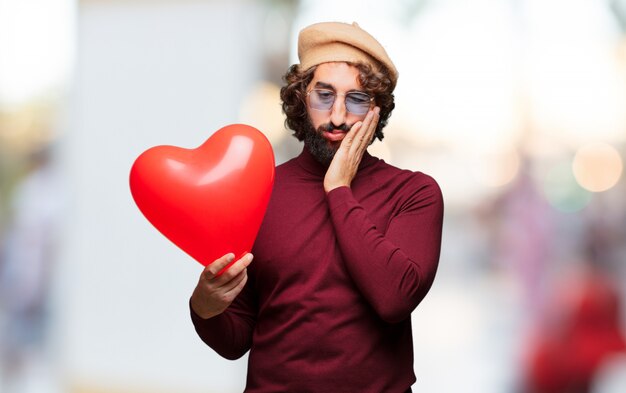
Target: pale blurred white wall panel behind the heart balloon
(147, 73)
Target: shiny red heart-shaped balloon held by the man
(209, 201)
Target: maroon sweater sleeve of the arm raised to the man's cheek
(393, 270)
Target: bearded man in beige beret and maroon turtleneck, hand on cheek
(348, 247)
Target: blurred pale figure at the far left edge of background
(26, 264)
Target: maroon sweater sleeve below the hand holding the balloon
(230, 333)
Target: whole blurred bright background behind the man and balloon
(516, 107)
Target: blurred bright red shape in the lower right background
(567, 353)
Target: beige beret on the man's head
(335, 41)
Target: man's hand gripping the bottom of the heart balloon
(215, 291)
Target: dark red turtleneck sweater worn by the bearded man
(334, 280)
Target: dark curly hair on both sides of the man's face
(375, 83)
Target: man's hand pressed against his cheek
(345, 163)
